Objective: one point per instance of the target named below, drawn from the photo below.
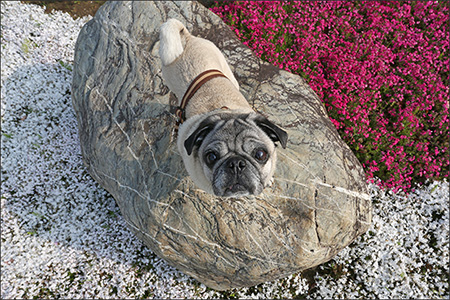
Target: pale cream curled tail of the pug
(172, 39)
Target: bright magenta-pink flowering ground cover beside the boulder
(380, 67)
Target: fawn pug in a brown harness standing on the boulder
(227, 148)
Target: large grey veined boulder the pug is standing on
(317, 205)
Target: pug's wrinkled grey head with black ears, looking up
(235, 152)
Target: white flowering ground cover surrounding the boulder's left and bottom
(63, 236)
